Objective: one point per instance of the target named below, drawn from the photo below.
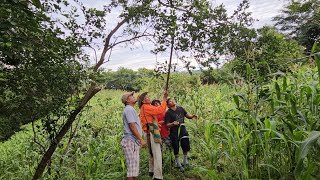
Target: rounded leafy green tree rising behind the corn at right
(270, 53)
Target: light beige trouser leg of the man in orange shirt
(157, 158)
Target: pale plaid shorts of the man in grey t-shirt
(131, 151)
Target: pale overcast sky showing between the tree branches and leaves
(140, 55)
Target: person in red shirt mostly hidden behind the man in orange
(164, 130)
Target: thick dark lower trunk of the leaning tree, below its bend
(47, 156)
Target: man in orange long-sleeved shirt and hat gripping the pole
(148, 117)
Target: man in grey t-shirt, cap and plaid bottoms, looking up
(132, 136)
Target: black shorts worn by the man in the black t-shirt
(183, 139)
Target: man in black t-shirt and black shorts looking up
(174, 119)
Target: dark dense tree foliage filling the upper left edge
(38, 68)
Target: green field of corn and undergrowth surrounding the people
(248, 131)
